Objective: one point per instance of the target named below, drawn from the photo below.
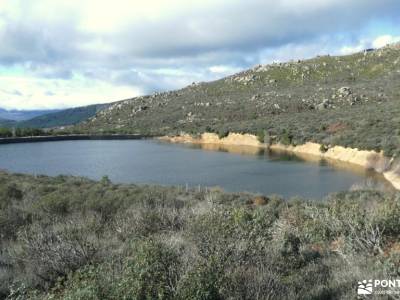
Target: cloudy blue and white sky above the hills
(68, 53)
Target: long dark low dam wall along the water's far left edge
(71, 137)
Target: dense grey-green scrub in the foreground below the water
(72, 238)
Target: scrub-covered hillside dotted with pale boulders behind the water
(347, 100)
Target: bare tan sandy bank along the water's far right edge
(365, 159)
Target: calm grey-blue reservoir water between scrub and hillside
(154, 162)
